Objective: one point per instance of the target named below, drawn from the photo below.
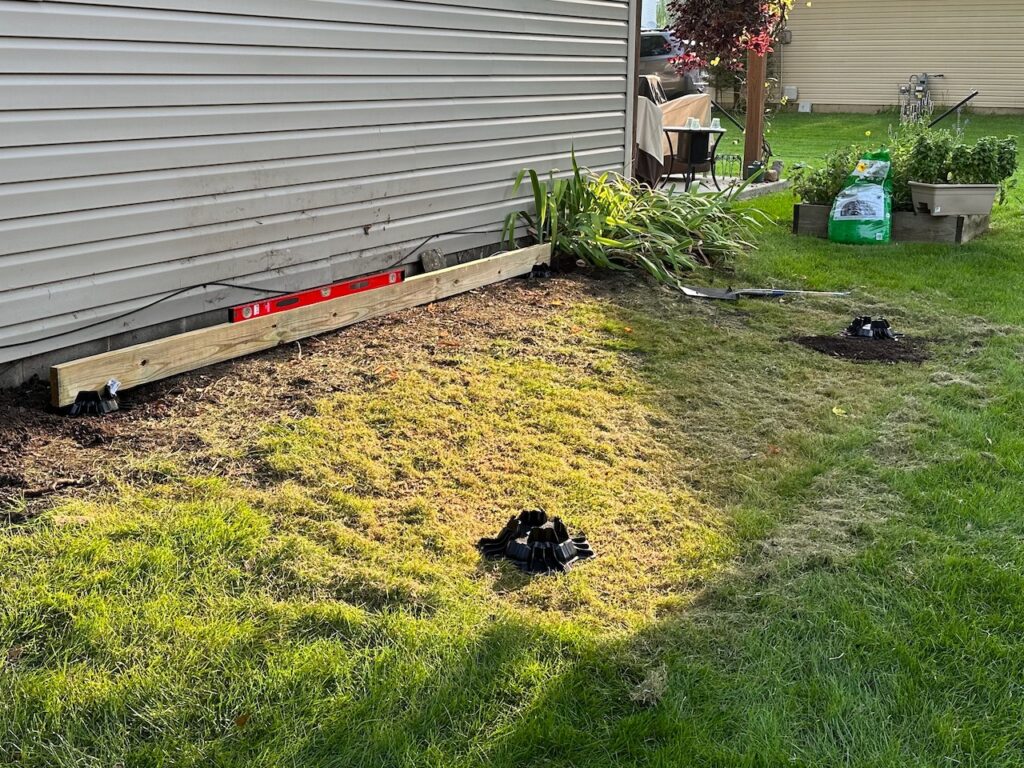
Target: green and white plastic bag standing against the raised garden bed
(864, 211)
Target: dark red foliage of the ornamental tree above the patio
(724, 31)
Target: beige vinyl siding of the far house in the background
(857, 53)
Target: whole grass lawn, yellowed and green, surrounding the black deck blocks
(802, 562)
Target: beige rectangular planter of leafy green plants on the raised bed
(949, 179)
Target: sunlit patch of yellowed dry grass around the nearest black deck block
(439, 457)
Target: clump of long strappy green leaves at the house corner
(614, 224)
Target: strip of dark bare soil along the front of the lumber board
(46, 456)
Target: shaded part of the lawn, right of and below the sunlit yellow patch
(902, 648)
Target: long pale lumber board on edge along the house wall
(152, 362)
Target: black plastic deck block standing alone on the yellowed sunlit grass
(538, 544)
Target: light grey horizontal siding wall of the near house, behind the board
(150, 147)
